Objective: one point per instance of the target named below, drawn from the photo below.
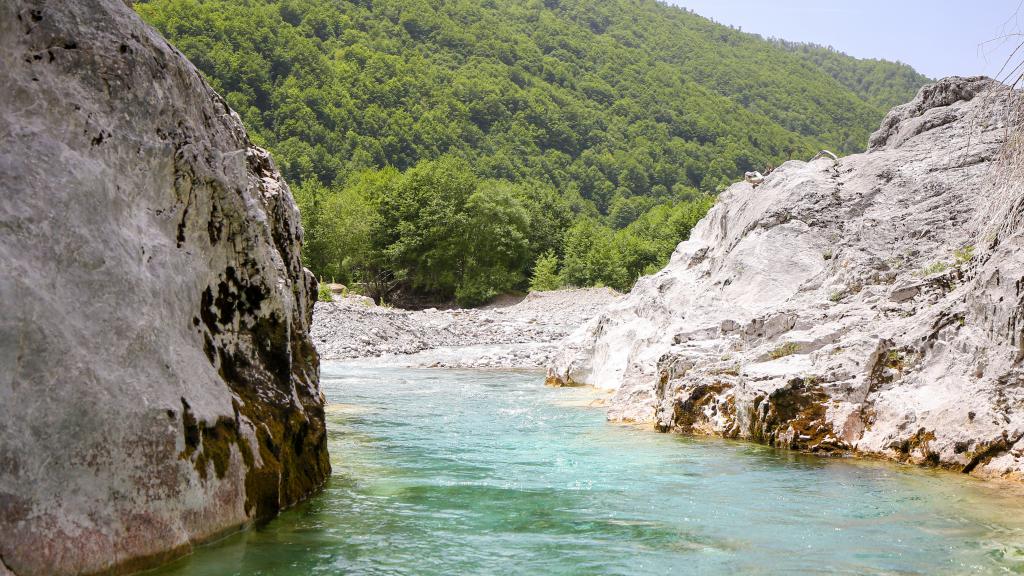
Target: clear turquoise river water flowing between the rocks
(491, 473)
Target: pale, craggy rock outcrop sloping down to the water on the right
(873, 306)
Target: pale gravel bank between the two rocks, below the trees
(510, 334)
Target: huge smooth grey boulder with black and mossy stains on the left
(159, 385)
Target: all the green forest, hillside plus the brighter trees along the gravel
(457, 150)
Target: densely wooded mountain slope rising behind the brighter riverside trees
(523, 89)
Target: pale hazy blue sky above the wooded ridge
(937, 37)
